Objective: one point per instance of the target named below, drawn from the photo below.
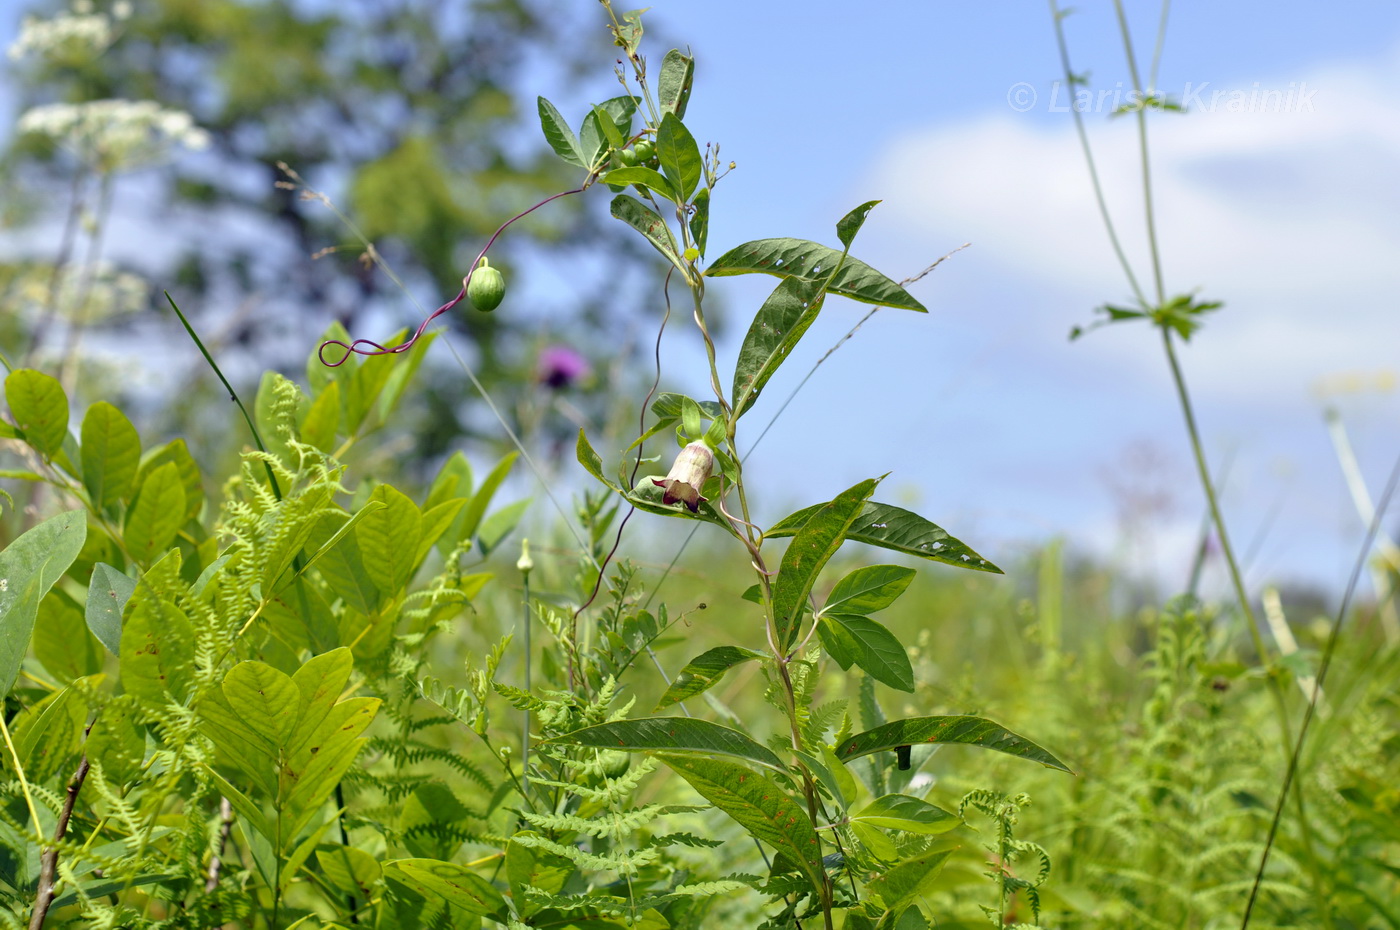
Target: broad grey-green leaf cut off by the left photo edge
(30, 567)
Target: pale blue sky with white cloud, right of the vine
(989, 419)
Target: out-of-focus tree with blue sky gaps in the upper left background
(407, 113)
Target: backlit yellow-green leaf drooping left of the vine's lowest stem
(759, 806)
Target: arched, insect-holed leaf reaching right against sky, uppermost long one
(808, 260)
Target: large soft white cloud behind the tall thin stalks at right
(1291, 218)
